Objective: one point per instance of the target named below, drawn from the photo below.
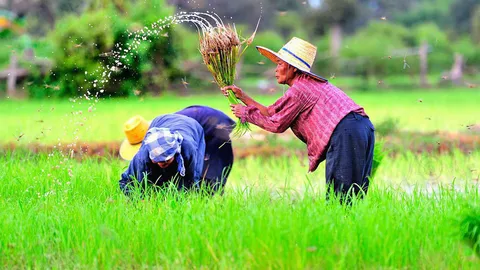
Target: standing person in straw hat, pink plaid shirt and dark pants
(332, 125)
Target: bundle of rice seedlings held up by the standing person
(221, 50)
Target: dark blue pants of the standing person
(349, 157)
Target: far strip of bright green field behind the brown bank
(62, 120)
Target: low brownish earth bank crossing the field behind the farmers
(266, 144)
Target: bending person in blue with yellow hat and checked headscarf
(190, 147)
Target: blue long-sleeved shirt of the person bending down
(192, 151)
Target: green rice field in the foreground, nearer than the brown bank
(60, 213)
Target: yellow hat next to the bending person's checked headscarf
(135, 130)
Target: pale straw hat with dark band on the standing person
(297, 52)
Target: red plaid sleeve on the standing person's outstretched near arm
(282, 113)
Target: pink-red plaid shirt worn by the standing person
(312, 109)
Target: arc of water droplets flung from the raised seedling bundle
(83, 107)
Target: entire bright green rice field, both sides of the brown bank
(64, 213)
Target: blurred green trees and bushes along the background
(367, 38)
